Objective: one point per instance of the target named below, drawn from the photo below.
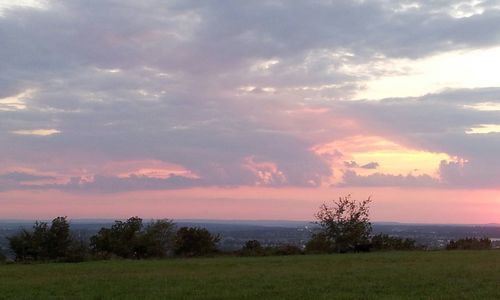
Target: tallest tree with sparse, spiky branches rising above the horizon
(346, 224)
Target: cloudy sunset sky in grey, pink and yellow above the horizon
(250, 109)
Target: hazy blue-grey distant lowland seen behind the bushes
(234, 234)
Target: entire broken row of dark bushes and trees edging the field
(344, 226)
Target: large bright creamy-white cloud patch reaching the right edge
(456, 69)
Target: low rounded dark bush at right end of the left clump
(195, 241)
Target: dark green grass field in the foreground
(390, 275)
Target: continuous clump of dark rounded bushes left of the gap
(130, 239)
